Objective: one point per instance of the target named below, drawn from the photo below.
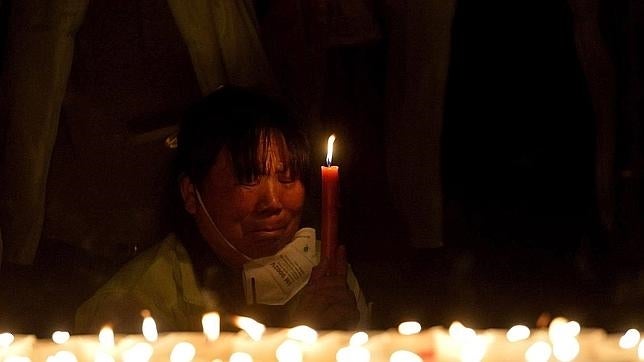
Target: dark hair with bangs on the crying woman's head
(238, 119)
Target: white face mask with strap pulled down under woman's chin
(275, 279)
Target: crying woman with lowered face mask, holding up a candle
(242, 169)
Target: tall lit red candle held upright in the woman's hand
(330, 178)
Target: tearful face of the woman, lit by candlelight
(258, 217)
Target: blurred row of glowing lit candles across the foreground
(562, 341)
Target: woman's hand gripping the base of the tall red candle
(326, 302)
